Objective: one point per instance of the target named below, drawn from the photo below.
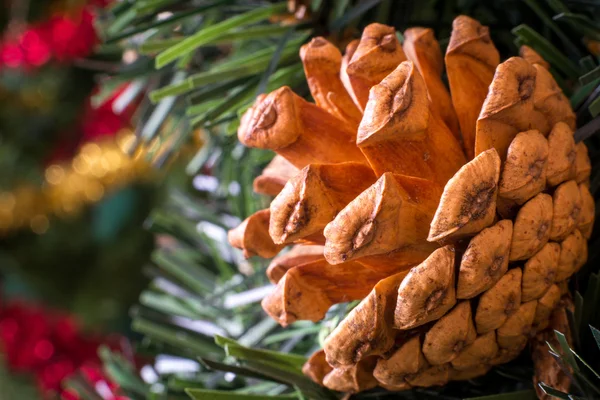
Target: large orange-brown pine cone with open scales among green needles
(457, 219)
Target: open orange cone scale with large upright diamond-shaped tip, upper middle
(426, 148)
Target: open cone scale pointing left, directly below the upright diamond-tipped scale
(391, 215)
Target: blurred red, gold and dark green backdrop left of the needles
(72, 201)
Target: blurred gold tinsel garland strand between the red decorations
(98, 168)
